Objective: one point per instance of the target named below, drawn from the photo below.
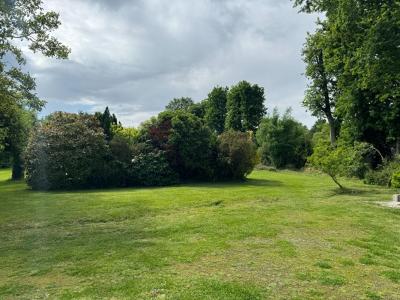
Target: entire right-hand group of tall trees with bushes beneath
(353, 68)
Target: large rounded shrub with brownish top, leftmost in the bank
(67, 151)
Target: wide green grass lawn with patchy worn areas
(280, 235)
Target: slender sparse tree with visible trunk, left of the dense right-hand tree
(321, 94)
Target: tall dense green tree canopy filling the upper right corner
(362, 50)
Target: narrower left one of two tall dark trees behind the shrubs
(216, 109)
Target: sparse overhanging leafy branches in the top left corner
(25, 20)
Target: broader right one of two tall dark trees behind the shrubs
(245, 107)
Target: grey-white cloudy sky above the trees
(136, 55)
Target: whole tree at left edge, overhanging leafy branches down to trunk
(22, 21)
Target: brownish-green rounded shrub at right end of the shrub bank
(237, 155)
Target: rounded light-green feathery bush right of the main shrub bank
(284, 142)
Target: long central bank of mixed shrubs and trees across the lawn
(215, 139)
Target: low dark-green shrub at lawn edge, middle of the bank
(151, 169)
